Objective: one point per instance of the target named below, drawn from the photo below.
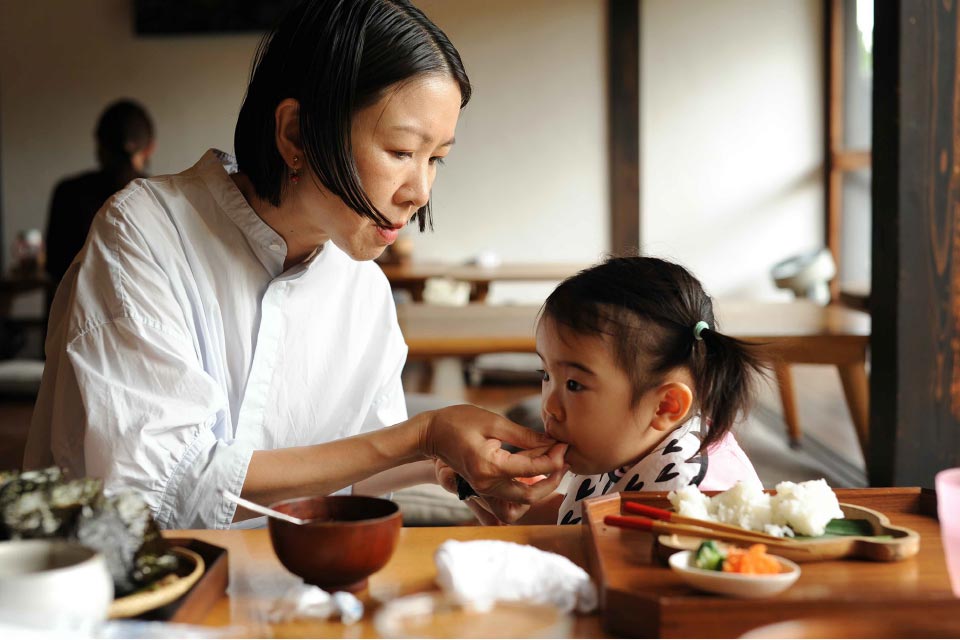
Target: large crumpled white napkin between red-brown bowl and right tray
(481, 572)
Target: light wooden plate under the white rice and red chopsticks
(902, 543)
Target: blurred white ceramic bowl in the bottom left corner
(53, 584)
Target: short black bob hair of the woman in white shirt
(335, 57)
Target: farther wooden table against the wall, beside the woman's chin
(413, 276)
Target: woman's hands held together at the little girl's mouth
(469, 439)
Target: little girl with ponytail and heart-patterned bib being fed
(640, 384)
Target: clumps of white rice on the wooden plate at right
(801, 509)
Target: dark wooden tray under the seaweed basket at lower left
(192, 607)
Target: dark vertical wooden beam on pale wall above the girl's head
(623, 94)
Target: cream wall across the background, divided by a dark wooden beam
(730, 124)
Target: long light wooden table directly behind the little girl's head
(798, 332)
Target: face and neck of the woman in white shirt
(398, 143)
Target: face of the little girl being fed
(586, 402)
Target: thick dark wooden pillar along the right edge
(915, 292)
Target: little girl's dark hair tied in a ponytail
(649, 309)
